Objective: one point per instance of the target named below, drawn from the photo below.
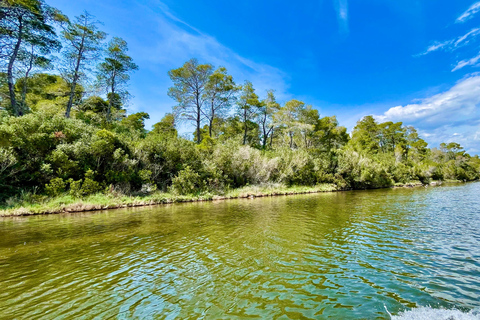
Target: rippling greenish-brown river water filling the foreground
(349, 255)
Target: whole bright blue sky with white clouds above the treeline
(414, 61)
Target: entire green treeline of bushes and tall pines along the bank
(64, 127)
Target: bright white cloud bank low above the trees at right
(450, 115)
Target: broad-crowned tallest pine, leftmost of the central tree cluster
(189, 91)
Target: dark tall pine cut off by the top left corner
(26, 22)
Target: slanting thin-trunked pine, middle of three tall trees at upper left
(83, 43)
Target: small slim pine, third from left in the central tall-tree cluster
(247, 107)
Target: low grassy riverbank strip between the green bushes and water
(68, 204)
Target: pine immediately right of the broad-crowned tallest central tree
(220, 93)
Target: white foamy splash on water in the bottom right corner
(425, 313)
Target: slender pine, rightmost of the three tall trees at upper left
(114, 72)
